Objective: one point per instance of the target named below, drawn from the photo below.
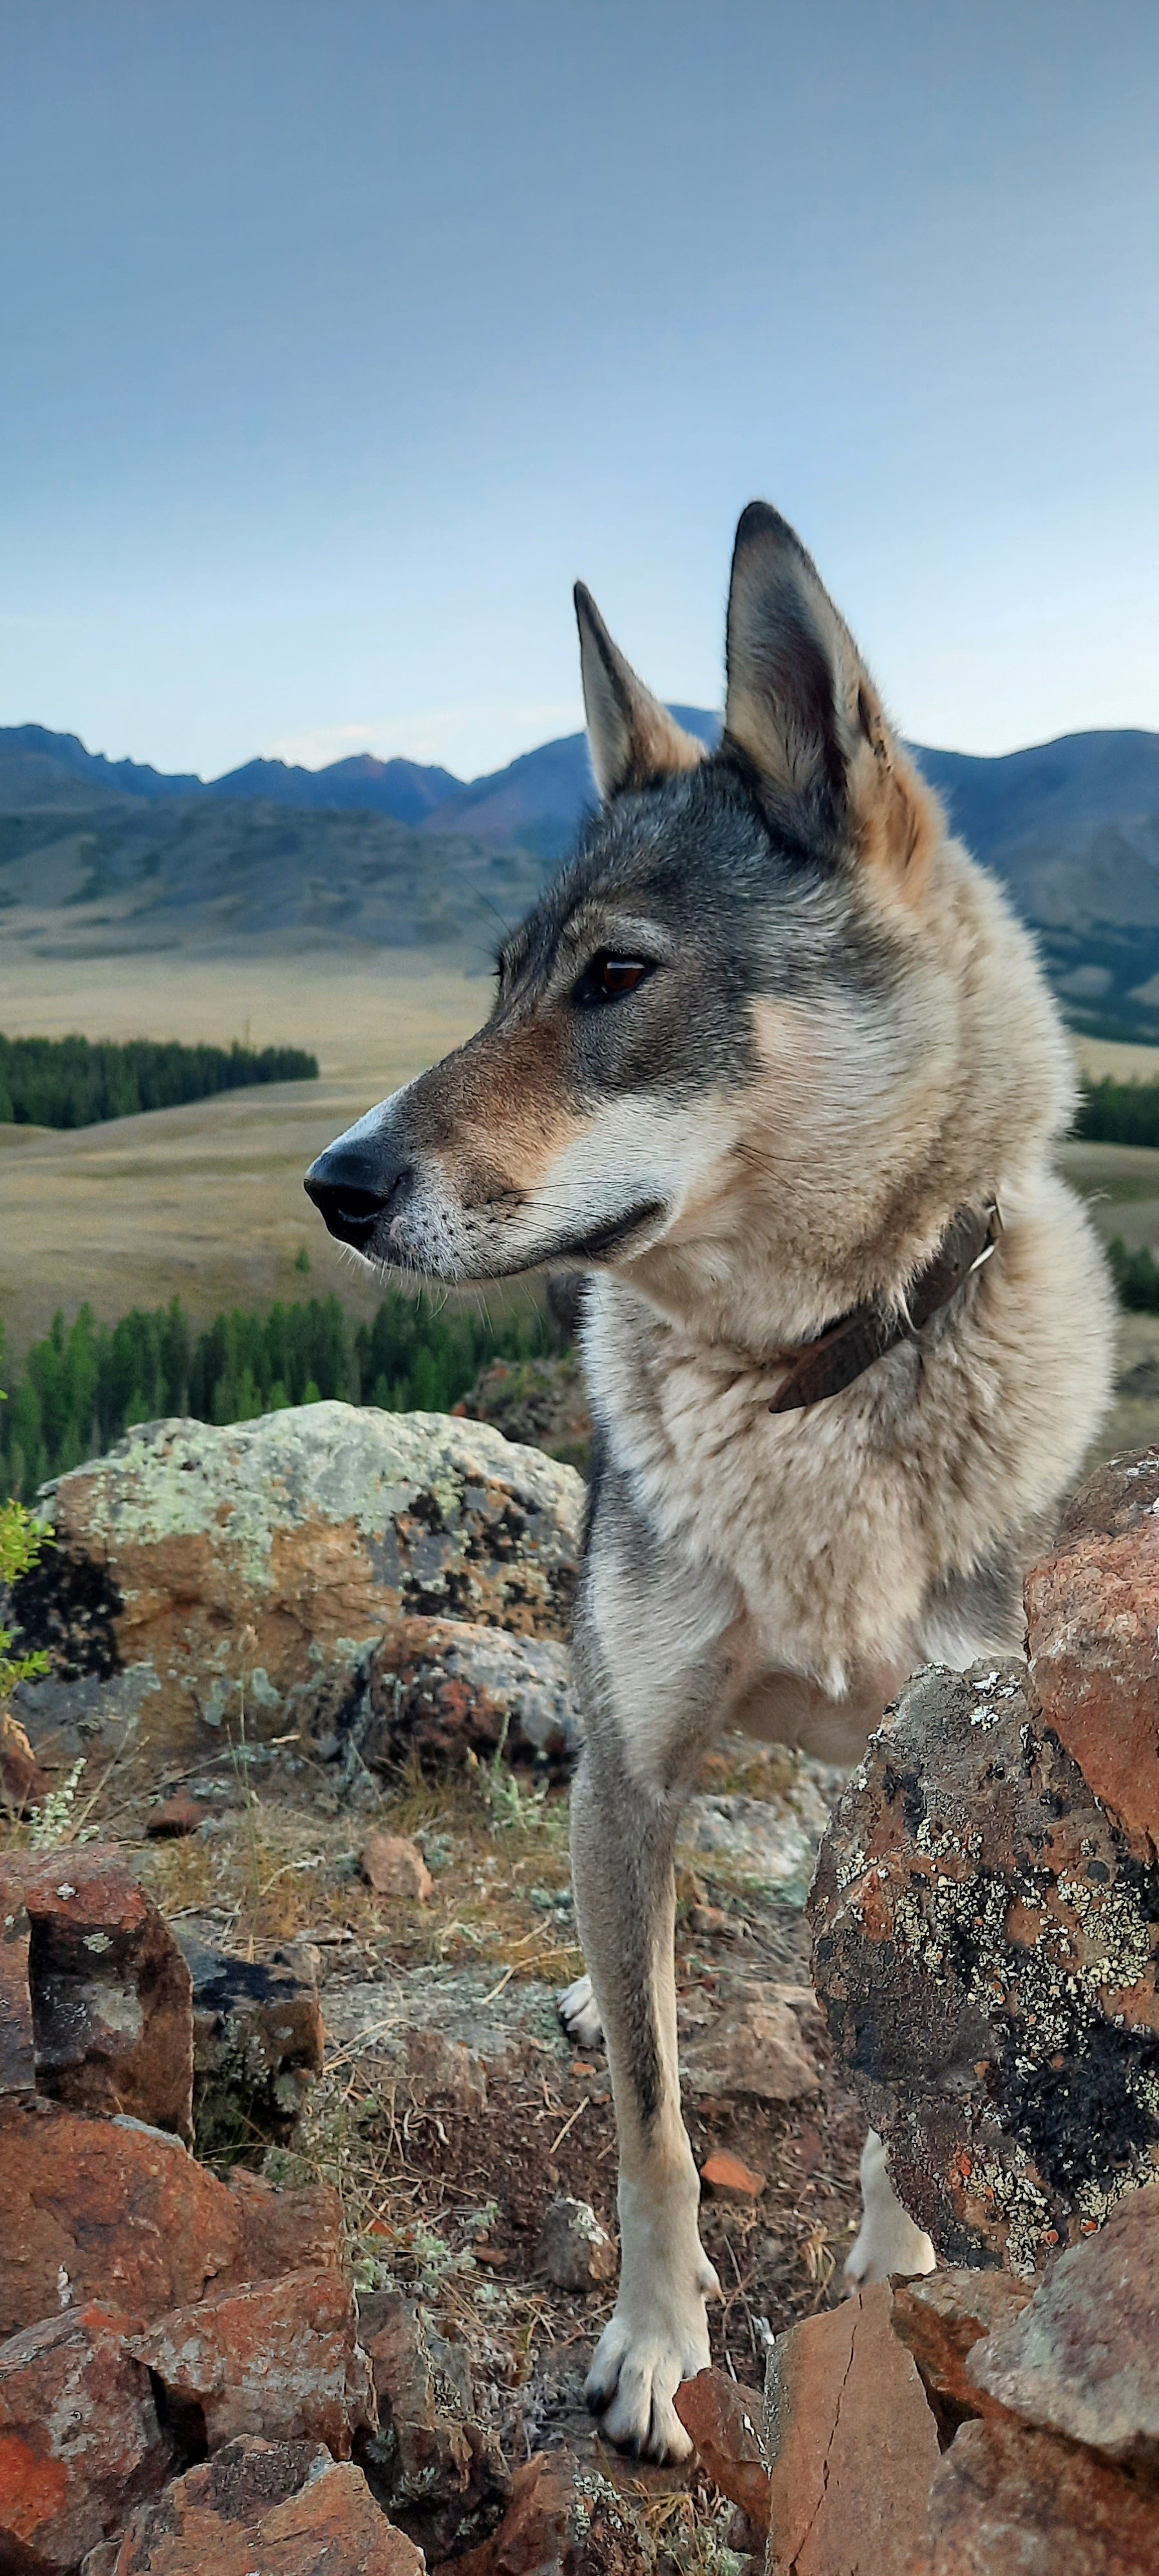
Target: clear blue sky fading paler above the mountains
(339, 339)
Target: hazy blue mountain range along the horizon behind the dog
(112, 854)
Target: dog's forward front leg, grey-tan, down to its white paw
(622, 1861)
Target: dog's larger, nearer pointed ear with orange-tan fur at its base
(805, 712)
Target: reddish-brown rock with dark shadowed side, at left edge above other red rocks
(109, 1987)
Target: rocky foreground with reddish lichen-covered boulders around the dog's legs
(285, 1879)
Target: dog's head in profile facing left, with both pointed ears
(710, 985)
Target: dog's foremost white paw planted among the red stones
(640, 2366)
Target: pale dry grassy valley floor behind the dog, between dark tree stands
(207, 1204)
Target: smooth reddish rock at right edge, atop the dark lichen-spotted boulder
(1093, 1614)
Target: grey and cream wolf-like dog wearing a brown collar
(779, 1068)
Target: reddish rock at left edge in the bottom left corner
(79, 2438)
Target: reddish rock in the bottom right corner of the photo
(1013, 2500)
